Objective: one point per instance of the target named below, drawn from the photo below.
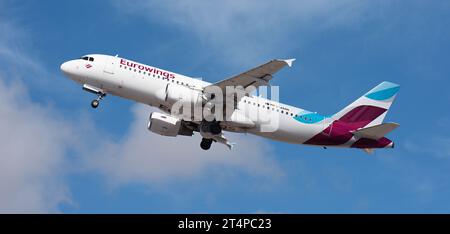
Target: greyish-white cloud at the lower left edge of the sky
(33, 142)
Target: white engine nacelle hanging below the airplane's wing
(163, 124)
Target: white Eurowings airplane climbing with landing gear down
(359, 125)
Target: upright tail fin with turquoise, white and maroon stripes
(370, 109)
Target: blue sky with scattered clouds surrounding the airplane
(58, 155)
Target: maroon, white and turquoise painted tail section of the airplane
(360, 124)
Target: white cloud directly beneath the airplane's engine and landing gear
(142, 156)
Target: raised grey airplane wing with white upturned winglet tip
(258, 76)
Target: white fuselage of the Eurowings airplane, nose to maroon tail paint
(144, 84)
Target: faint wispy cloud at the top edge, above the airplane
(244, 31)
